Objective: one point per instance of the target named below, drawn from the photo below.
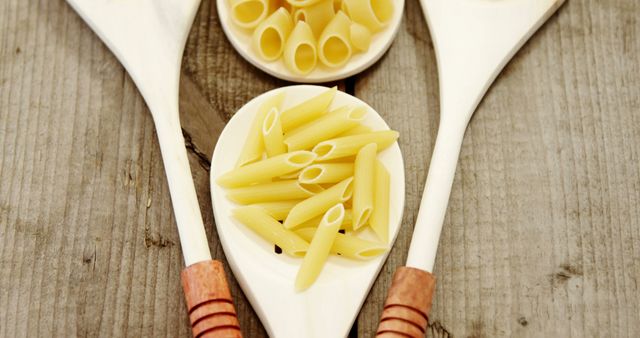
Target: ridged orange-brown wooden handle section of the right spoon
(408, 303)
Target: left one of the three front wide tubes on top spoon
(269, 37)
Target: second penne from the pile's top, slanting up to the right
(325, 128)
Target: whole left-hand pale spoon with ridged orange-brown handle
(148, 37)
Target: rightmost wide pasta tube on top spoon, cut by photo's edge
(374, 14)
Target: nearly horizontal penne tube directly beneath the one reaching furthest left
(273, 191)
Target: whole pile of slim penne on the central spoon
(310, 181)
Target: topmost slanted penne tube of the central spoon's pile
(307, 110)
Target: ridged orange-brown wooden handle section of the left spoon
(209, 302)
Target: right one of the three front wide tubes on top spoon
(334, 44)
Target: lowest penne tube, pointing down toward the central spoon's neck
(320, 247)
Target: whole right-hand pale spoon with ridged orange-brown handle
(474, 40)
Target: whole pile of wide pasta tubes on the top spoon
(303, 31)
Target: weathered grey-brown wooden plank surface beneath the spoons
(542, 237)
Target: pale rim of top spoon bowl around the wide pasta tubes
(381, 41)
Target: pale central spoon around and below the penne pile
(329, 307)
